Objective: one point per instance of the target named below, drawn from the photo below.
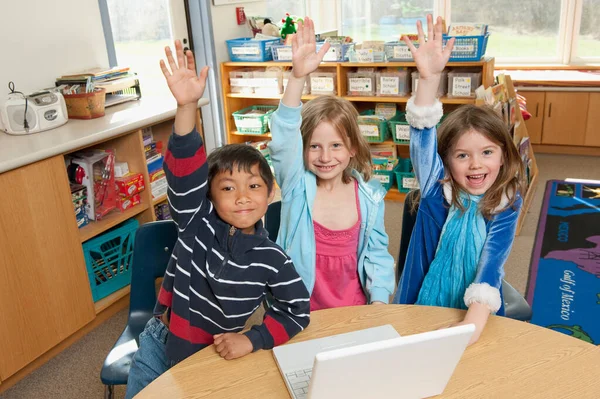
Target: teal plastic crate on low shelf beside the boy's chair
(108, 259)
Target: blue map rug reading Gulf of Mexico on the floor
(564, 278)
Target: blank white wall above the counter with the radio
(42, 40)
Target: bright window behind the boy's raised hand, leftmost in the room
(140, 31)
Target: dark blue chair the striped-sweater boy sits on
(152, 249)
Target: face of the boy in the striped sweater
(241, 198)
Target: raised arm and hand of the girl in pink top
(286, 146)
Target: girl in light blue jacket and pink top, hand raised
(332, 212)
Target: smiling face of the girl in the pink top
(327, 155)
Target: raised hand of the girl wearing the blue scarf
(430, 57)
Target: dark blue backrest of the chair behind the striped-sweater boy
(152, 250)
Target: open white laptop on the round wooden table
(375, 362)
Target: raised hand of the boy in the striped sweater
(187, 87)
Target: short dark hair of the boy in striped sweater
(242, 156)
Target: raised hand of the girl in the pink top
(305, 59)
